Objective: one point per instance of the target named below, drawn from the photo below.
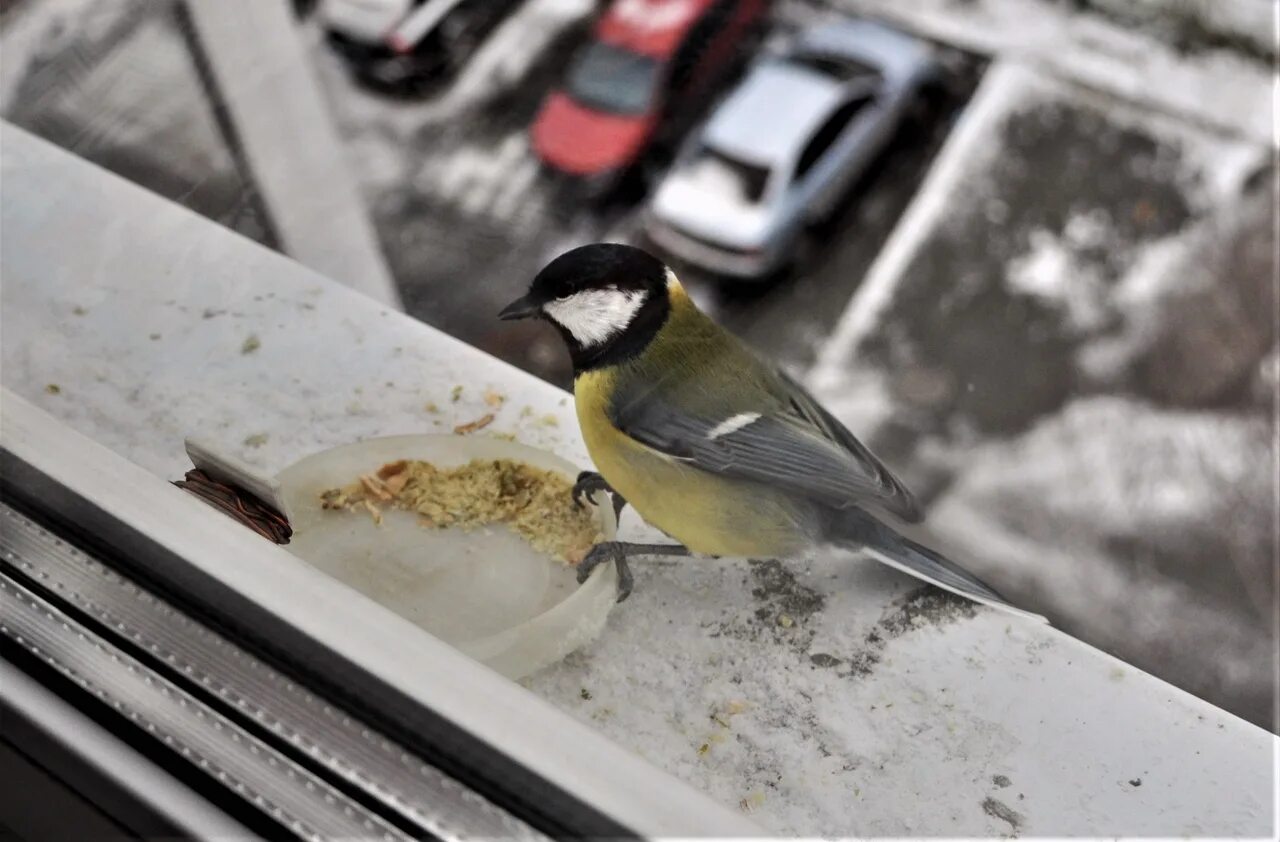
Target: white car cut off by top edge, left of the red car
(406, 47)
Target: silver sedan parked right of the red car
(787, 147)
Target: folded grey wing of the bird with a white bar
(797, 446)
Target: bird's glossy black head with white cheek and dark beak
(607, 300)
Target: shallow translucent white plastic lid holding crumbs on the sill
(486, 592)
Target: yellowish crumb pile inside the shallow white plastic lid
(536, 504)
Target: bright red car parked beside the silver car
(641, 79)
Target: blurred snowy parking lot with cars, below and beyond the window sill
(1026, 249)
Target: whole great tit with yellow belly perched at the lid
(719, 450)
